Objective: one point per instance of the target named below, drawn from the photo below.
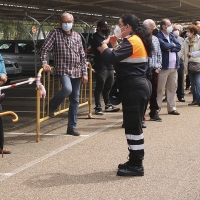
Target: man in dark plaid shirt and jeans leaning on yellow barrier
(69, 63)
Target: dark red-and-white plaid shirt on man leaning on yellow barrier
(69, 55)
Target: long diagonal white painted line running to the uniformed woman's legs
(52, 153)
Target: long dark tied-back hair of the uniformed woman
(140, 30)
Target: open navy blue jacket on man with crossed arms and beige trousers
(165, 46)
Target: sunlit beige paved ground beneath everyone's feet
(84, 168)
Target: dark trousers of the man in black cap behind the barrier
(104, 81)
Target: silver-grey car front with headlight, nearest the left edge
(13, 68)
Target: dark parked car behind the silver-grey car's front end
(25, 53)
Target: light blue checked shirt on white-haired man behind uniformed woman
(155, 61)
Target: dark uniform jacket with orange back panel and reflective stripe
(129, 57)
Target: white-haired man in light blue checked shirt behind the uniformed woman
(155, 64)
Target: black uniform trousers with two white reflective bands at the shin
(135, 92)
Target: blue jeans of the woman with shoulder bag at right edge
(195, 86)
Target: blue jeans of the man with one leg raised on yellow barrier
(71, 89)
